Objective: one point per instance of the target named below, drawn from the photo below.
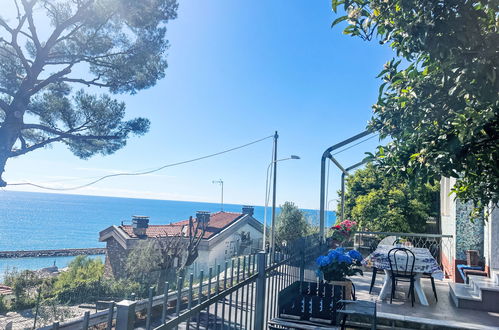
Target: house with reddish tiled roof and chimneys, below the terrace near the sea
(227, 234)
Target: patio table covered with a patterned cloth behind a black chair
(423, 264)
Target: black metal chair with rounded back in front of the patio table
(402, 267)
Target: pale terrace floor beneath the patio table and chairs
(443, 310)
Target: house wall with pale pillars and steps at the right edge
(482, 237)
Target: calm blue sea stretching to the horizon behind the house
(38, 221)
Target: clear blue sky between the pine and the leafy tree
(238, 71)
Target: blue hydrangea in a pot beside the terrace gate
(337, 265)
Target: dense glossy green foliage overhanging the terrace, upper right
(438, 100)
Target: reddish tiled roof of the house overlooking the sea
(218, 221)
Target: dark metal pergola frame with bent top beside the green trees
(344, 172)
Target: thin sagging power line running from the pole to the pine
(144, 172)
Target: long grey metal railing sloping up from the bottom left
(240, 295)
